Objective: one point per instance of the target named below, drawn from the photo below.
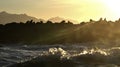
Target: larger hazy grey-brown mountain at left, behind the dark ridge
(6, 17)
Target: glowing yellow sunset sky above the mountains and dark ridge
(80, 10)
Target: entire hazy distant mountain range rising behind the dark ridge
(6, 17)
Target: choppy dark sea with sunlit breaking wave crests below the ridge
(60, 55)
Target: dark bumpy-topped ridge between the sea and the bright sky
(60, 33)
